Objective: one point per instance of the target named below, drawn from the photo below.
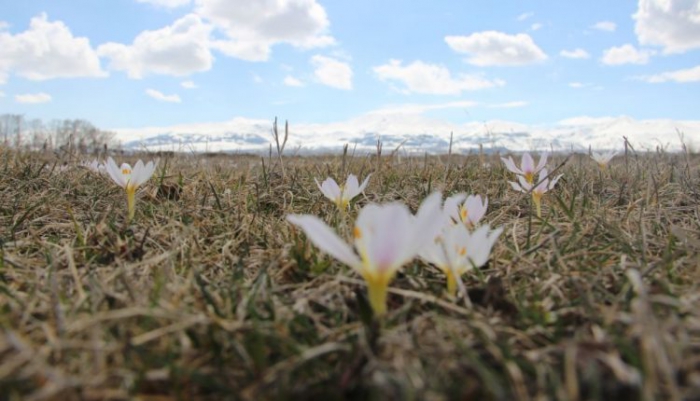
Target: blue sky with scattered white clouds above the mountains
(131, 64)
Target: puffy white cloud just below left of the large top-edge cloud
(179, 50)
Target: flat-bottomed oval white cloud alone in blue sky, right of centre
(497, 48)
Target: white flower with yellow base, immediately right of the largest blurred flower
(457, 250)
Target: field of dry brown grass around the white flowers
(210, 293)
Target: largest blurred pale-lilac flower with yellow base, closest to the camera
(385, 238)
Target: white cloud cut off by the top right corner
(671, 24)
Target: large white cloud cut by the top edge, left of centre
(253, 27)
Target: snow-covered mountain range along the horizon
(416, 133)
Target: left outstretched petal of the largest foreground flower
(328, 241)
